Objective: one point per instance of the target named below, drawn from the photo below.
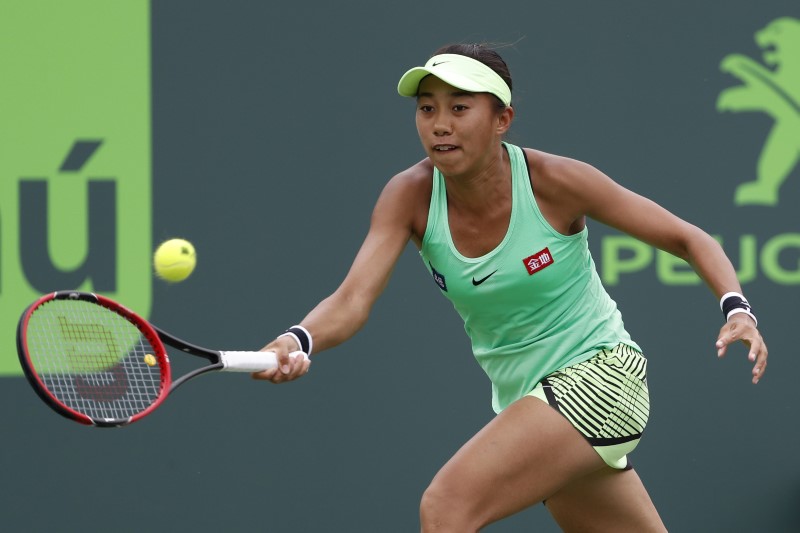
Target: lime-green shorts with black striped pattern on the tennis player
(605, 398)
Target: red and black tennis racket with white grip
(98, 363)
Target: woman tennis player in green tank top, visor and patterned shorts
(502, 230)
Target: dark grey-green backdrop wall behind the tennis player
(275, 126)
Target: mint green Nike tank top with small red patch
(531, 306)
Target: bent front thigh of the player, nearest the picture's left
(523, 456)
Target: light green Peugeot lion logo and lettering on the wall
(771, 87)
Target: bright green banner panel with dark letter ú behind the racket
(75, 155)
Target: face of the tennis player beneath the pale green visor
(460, 131)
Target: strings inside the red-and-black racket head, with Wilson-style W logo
(93, 360)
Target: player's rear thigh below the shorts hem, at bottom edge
(607, 500)
